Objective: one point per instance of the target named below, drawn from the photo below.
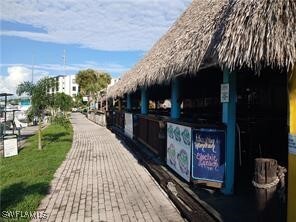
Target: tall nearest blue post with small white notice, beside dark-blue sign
(229, 118)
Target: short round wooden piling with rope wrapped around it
(265, 182)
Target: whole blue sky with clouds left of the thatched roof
(107, 35)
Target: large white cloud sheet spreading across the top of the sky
(97, 24)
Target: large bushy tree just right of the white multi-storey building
(91, 82)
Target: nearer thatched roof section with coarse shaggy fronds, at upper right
(259, 33)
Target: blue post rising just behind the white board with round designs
(175, 96)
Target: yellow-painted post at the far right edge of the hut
(292, 150)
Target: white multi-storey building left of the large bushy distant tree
(66, 84)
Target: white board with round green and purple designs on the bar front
(179, 149)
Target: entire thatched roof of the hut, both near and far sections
(250, 33)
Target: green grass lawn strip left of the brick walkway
(25, 179)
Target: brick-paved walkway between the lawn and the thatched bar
(100, 180)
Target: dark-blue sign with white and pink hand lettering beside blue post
(208, 154)
